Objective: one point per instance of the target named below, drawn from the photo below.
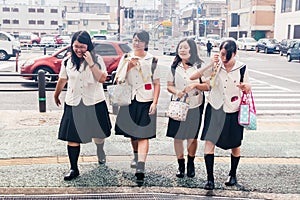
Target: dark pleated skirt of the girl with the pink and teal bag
(222, 128)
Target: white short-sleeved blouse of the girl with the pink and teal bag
(225, 92)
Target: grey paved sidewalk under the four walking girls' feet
(33, 161)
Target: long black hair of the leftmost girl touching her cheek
(84, 38)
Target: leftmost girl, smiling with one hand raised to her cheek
(85, 112)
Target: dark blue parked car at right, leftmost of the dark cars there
(268, 45)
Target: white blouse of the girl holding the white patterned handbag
(182, 79)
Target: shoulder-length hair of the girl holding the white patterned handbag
(194, 58)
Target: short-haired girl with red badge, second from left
(138, 120)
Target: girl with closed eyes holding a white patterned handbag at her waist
(185, 64)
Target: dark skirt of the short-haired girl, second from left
(135, 122)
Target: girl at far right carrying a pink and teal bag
(221, 127)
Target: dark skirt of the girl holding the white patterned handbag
(188, 129)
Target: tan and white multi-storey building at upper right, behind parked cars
(251, 18)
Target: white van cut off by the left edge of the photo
(9, 46)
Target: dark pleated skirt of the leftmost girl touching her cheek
(82, 123)
